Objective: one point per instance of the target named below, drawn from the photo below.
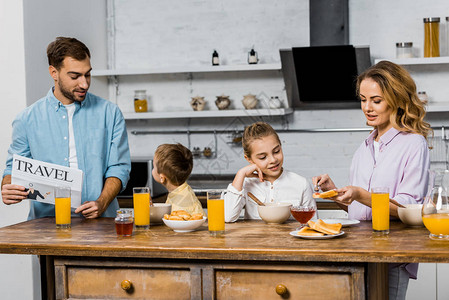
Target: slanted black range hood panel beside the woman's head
(323, 74)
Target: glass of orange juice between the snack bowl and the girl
(215, 212)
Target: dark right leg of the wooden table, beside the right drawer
(377, 281)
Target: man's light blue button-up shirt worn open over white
(41, 132)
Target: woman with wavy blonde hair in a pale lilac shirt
(395, 154)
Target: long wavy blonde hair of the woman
(399, 91)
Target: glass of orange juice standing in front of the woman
(380, 205)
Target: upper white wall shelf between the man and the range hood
(188, 69)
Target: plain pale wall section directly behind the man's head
(44, 20)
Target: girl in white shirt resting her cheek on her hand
(264, 177)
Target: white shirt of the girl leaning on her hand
(289, 187)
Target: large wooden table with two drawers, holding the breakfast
(252, 261)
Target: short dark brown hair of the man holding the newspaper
(64, 47)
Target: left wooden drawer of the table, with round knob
(143, 283)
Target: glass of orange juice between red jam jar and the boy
(141, 202)
